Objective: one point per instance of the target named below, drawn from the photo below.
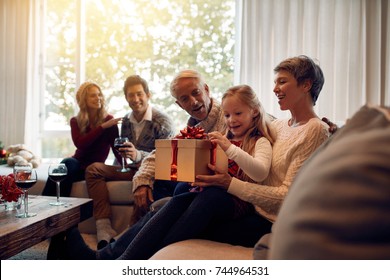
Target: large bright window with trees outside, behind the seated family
(108, 40)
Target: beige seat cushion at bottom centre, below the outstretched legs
(197, 249)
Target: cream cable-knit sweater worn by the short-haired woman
(291, 148)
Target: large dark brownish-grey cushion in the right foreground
(338, 206)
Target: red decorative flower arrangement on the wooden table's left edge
(10, 192)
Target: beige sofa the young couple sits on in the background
(121, 198)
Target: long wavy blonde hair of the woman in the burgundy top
(82, 117)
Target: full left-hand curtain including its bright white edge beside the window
(17, 72)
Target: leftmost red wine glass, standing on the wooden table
(25, 178)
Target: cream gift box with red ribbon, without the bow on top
(183, 159)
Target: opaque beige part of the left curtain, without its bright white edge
(13, 56)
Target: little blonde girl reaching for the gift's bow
(247, 142)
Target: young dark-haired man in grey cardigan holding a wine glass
(142, 126)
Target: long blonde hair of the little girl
(261, 126)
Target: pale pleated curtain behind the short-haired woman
(348, 38)
